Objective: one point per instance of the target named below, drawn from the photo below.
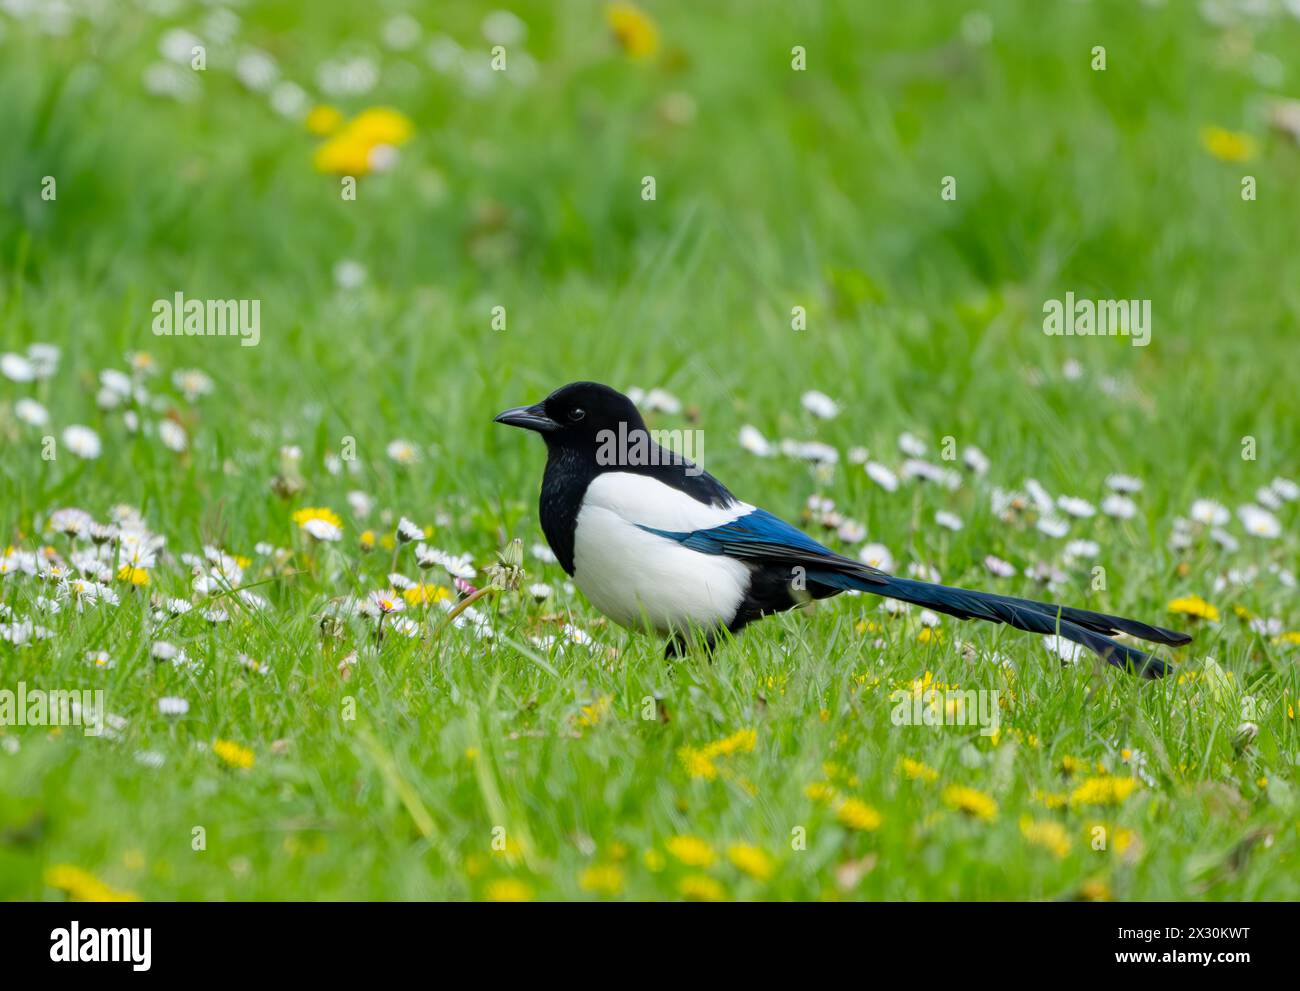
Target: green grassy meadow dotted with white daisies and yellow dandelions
(824, 236)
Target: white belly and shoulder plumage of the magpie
(638, 578)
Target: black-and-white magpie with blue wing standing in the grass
(660, 546)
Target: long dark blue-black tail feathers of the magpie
(1080, 626)
